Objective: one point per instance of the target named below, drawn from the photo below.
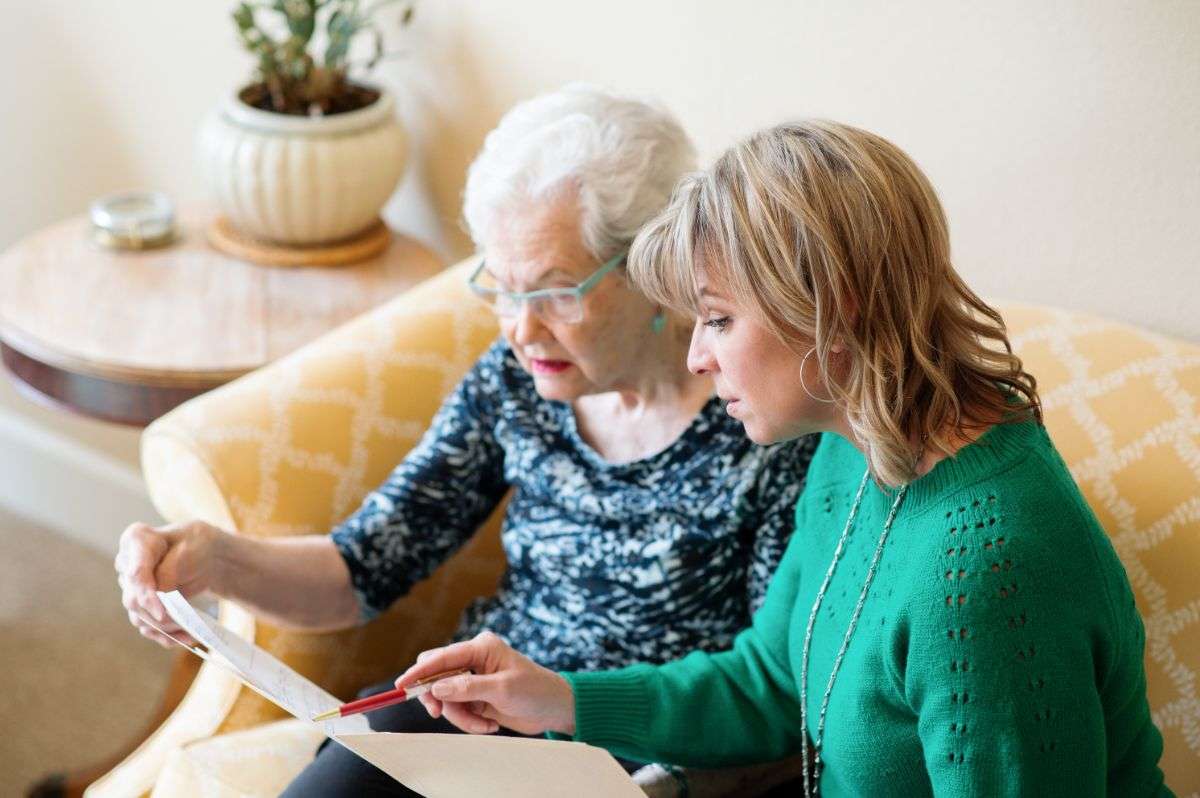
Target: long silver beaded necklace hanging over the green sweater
(845, 643)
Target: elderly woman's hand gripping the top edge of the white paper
(176, 557)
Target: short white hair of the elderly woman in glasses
(622, 159)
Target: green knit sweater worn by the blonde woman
(999, 652)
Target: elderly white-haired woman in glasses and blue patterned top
(643, 524)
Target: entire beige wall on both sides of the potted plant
(1064, 137)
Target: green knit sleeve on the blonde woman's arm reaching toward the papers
(706, 710)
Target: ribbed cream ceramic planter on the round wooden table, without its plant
(302, 181)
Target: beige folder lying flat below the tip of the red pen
(499, 767)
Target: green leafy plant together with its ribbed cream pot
(304, 154)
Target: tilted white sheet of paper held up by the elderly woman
(261, 671)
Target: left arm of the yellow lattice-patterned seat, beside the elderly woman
(292, 449)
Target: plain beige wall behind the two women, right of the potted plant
(1064, 137)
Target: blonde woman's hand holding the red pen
(506, 689)
